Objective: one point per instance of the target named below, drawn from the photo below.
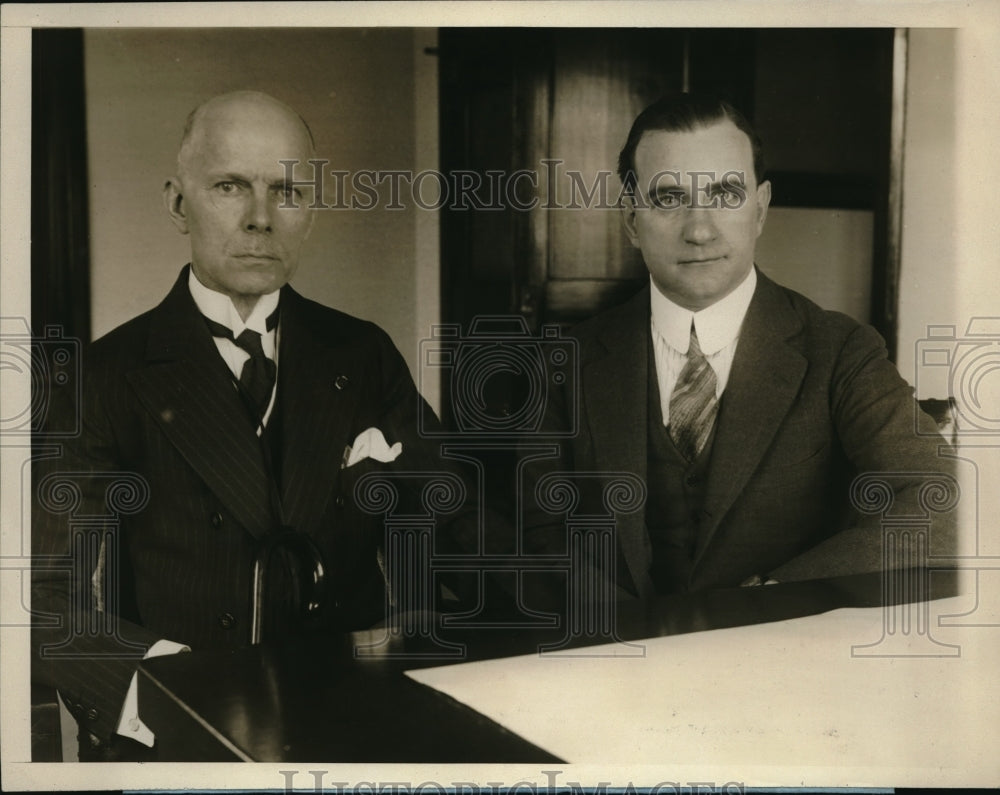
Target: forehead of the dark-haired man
(720, 147)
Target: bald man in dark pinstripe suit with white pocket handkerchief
(229, 414)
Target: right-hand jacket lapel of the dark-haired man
(764, 381)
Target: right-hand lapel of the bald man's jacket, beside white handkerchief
(316, 412)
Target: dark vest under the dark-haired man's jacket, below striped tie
(675, 496)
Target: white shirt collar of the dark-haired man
(717, 325)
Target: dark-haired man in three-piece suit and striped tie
(744, 408)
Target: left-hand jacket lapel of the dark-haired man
(615, 394)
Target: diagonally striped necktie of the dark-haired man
(693, 404)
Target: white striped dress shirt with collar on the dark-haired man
(718, 328)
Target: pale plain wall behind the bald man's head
(370, 96)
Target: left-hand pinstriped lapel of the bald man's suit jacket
(188, 391)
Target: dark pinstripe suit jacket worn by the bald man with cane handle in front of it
(159, 402)
